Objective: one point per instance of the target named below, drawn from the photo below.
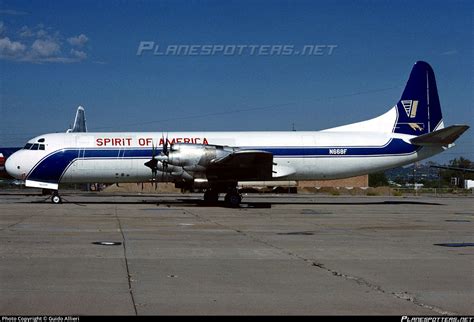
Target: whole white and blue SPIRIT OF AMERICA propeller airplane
(410, 131)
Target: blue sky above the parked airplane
(348, 61)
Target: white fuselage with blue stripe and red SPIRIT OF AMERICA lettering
(120, 157)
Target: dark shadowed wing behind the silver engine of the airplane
(250, 165)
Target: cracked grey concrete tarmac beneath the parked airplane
(292, 254)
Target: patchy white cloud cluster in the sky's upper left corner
(41, 44)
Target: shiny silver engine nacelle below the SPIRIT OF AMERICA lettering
(196, 157)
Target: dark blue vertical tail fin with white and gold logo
(419, 109)
